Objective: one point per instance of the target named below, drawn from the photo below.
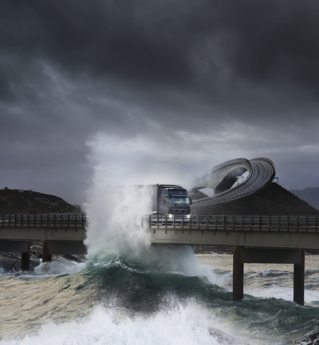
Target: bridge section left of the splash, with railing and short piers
(60, 234)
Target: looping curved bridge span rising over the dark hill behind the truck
(222, 178)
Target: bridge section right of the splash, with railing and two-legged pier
(255, 239)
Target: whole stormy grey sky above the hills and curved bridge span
(156, 90)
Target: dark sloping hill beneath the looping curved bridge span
(271, 200)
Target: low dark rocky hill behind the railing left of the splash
(17, 201)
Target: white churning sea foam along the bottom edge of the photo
(187, 325)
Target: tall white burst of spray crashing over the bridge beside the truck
(114, 213)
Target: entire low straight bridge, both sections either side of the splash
(255, 239)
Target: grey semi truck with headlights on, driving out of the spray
(170, 200)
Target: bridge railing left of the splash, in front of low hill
(71, 220)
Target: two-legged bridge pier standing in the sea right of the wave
(243, 255)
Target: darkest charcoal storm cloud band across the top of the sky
(270, 41)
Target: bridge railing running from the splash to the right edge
(234, 223)
